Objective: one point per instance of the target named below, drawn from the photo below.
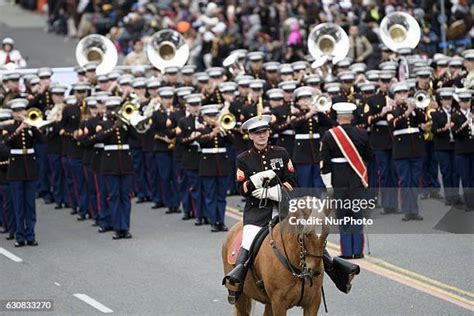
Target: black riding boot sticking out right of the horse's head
(340, 271)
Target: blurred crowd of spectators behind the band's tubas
(278, 28)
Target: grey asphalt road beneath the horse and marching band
(171, 267)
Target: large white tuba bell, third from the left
(327, 41)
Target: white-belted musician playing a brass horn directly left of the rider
(214, 166)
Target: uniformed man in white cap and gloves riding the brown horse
(261, 165)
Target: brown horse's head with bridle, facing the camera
(312, 232)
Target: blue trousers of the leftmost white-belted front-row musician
(23, 200)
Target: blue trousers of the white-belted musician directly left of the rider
(214, 190)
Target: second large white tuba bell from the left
(167, 48)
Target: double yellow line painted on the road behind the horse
(401, 275)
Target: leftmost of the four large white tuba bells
(98, 49)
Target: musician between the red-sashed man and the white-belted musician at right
(381, 142)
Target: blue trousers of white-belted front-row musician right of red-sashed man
(409, 172)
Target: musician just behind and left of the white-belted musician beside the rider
(187, 133)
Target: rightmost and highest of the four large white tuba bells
(400, 30)
